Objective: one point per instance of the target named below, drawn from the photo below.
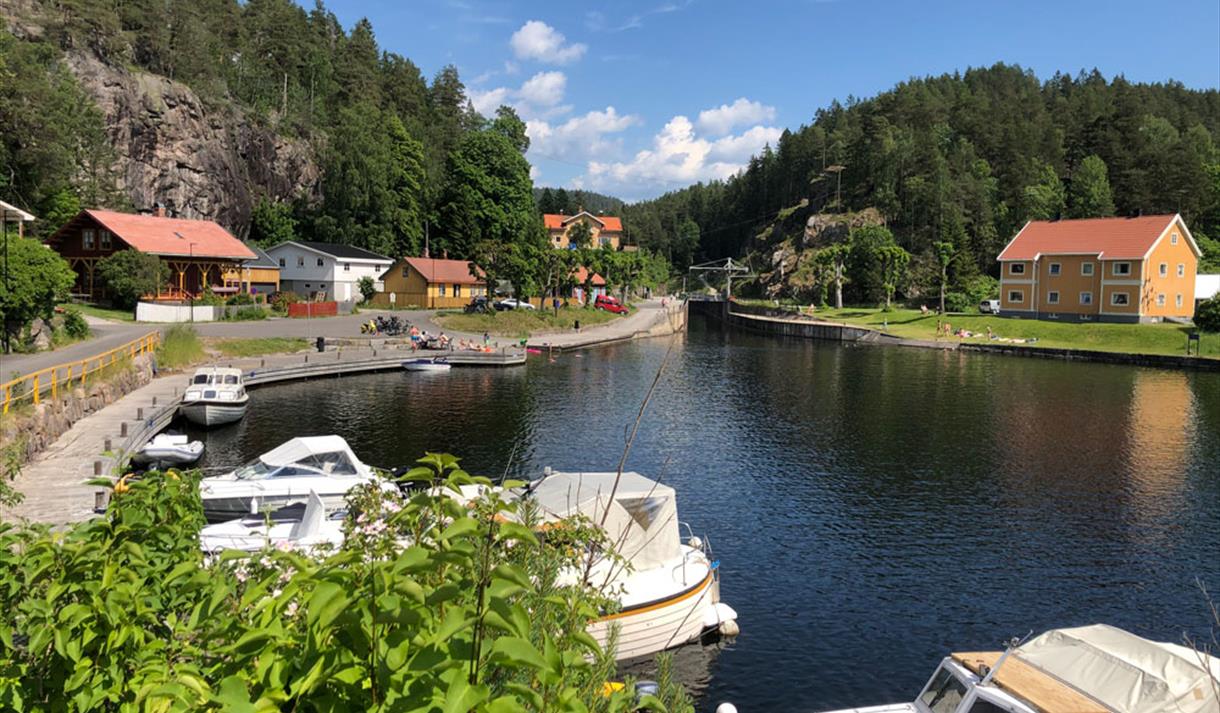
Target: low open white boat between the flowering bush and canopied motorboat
(301, 527)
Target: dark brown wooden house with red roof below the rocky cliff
(199, 253)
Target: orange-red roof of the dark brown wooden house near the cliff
(171, 236)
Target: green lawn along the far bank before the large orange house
(1163, 339)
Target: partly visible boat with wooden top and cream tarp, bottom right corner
(1086, 670)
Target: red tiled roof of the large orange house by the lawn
(1128, 239)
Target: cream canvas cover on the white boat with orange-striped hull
(641, 517)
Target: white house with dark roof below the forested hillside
(309, 269)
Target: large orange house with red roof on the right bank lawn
(1107, 269)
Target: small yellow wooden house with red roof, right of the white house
(430, 284)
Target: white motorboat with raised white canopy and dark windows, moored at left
(287, 476)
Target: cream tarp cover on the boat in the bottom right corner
(1127, 673)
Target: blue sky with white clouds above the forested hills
(640, 97)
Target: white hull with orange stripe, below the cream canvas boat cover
(655, 627)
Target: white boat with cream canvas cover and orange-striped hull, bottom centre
(670, 595)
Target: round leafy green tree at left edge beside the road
(36, 281)
